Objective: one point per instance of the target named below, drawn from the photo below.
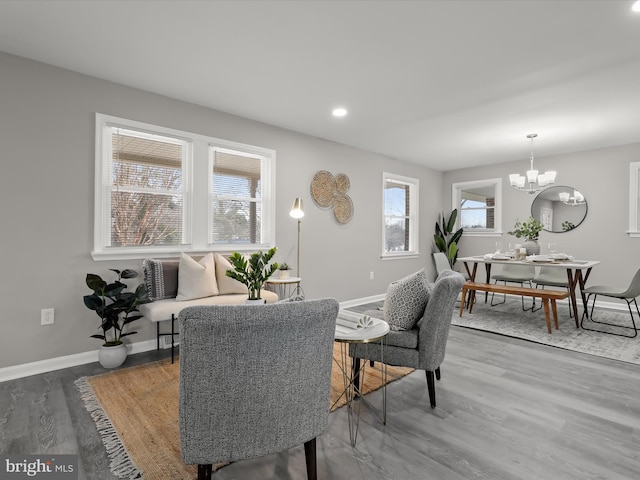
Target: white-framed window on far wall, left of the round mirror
(479, 205)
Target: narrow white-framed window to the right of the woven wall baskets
(400, 216)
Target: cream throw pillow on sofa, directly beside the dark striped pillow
(196, 279)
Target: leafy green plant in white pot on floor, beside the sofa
(116, 308)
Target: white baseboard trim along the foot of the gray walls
(58, 363)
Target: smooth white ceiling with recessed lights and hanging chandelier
(447, 84)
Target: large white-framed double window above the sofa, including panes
(155, 197)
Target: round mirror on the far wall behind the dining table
(559, 209)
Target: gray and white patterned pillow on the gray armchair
(406, 300)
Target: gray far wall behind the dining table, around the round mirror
(603, 177)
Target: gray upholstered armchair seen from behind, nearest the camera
(254, 380)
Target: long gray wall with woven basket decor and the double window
(46, 203)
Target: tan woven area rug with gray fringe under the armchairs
(136, 413)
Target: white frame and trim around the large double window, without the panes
(196, 186)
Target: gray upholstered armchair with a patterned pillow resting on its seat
(422, 347)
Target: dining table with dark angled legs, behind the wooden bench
(578, 272)
